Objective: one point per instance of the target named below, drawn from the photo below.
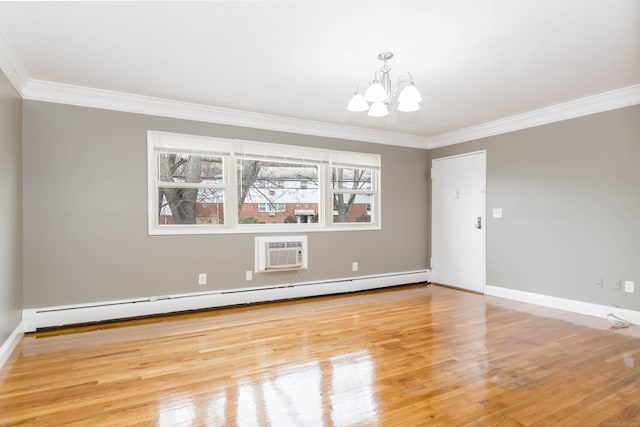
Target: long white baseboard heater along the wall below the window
(34, 318)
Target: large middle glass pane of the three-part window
(270, 192)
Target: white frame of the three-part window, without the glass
(231, 151)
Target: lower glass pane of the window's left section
(191, 206)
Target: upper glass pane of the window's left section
(190, 168)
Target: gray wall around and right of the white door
(570, 194)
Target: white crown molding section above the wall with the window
(120, 101)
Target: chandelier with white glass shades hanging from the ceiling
(378, 95)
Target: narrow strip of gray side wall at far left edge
(10, 208)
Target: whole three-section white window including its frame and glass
(200, 185)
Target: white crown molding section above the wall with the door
(601, 102)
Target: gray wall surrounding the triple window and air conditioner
(85, 213)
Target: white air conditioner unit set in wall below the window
(279, 253)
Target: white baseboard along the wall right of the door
(590, 309)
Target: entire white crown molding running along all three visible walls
(47, 91)
